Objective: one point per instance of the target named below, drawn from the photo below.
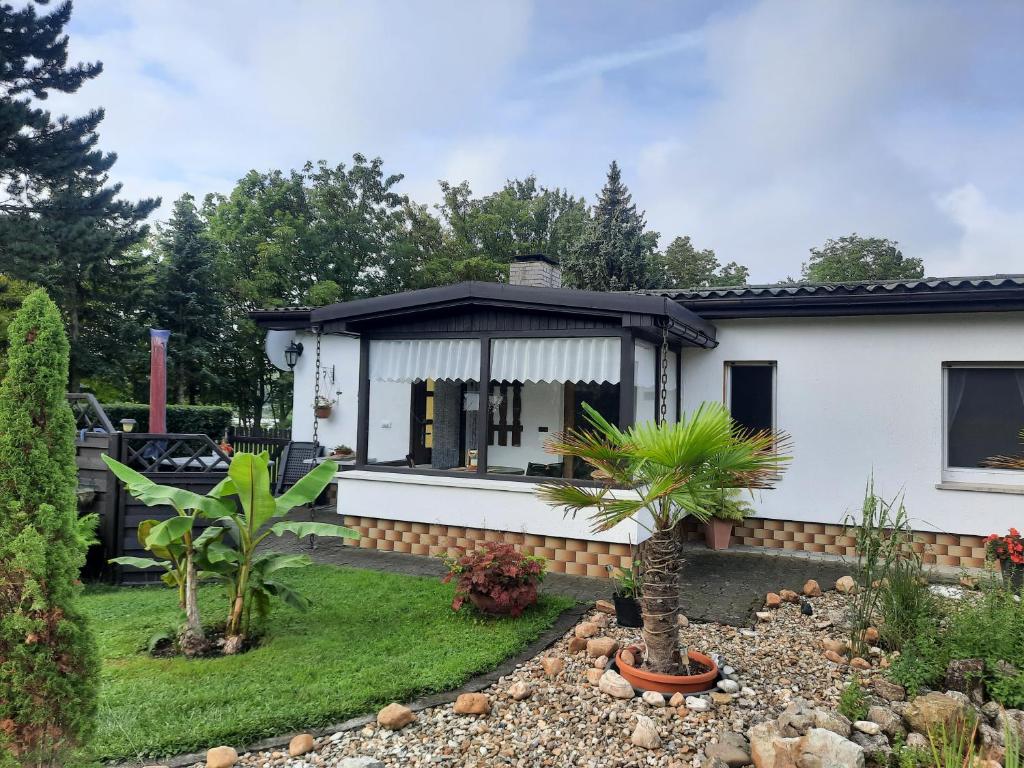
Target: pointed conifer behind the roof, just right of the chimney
(616, 251)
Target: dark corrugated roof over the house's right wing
(929, 295)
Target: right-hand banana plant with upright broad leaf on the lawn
(250, 577)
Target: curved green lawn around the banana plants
(370, 638)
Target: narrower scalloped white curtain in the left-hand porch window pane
(456, 360)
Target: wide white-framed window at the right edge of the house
(985, 414)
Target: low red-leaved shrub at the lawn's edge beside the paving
(498, 574)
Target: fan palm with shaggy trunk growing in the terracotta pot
(675, 471)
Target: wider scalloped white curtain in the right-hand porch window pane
(588, 360)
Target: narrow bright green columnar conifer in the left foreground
(49, 662)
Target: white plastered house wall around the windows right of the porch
(864, 395)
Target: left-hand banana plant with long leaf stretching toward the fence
(173, 543)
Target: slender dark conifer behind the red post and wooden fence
(188, 302)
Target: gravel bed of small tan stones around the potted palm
(567, 721)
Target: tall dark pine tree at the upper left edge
(63, 226)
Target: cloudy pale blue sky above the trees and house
(759, 129)
